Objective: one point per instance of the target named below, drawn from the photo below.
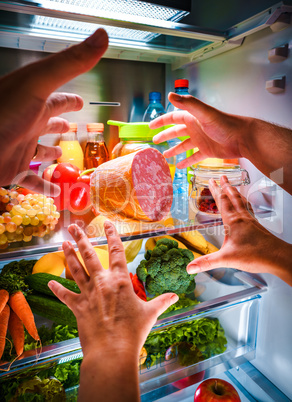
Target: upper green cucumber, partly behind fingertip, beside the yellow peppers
(39, 283)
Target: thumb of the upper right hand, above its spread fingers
(203, 112)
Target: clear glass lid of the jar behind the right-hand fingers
(236, 176)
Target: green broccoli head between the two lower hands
(164, 269)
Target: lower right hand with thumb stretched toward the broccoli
(247, 245)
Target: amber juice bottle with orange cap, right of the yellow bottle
(96, 151)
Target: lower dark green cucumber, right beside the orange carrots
(50, 308)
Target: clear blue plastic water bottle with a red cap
(180, 182)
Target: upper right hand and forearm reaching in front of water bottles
(215, 134)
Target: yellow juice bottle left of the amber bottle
(71, 149)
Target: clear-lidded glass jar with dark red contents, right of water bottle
(200, 197)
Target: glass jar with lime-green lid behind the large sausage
(136, 136)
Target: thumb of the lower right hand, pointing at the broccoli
(207, 262)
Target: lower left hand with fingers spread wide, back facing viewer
(110, 316)
